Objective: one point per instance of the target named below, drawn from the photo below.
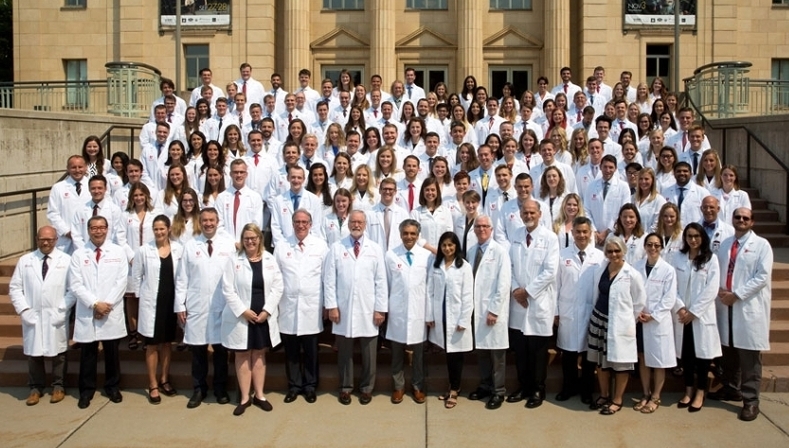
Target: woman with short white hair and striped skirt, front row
(618, 293)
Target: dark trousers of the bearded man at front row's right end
(742, 370)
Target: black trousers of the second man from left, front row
(87, 367)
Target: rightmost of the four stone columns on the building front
(557, 39)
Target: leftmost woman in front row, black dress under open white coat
(153, 283)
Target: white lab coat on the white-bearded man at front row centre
(356, 286)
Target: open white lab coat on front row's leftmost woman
(145, 282)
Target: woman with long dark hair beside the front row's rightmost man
(696, 336)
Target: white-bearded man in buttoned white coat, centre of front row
(354, 282)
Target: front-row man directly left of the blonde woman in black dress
(199, 303)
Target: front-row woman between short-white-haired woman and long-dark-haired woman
(654, 330)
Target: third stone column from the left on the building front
(470, 60)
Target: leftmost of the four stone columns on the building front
(297, 41)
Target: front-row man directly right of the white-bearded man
(406, 274)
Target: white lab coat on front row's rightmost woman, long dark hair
(696, 292)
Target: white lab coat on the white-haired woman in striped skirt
(626, 299)
